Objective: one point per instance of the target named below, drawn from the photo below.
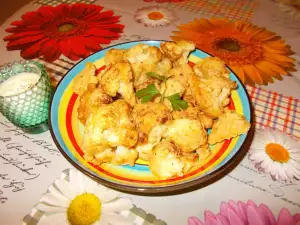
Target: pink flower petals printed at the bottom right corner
(249, 213)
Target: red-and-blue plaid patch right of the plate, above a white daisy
(275, 110)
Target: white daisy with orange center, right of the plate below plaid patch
(277, 154)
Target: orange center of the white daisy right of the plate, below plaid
(277, 152)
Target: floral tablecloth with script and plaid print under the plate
(262, 189)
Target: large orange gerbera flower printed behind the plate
(255, 54)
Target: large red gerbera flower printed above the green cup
(72, 30)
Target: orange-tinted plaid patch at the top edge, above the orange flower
(232, 9)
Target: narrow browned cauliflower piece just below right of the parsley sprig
(194, 113)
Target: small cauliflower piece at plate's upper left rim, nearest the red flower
(85, 77)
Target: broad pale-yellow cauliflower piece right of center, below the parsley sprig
(188, 135)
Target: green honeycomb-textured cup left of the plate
(28, 109)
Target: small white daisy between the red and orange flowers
(155, 16)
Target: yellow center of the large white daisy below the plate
(85, 209)
